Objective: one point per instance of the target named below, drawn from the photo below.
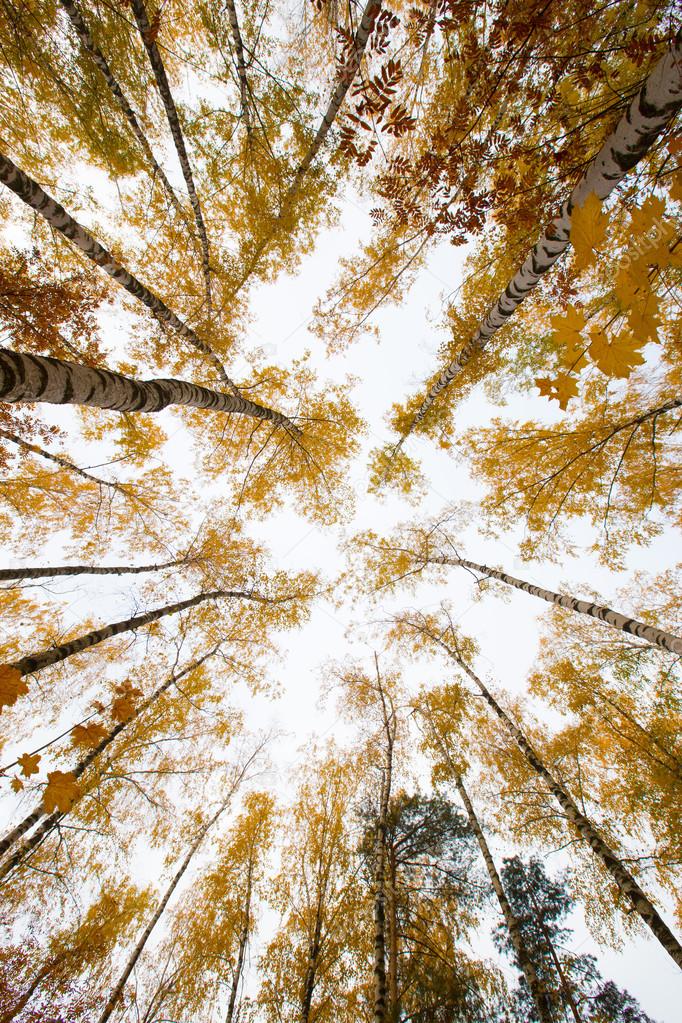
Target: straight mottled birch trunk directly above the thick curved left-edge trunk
(56, 215)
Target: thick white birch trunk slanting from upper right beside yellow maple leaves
(648, 117)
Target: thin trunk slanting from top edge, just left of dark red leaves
(346, 79)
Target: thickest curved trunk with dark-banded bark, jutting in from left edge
(37, 378)
